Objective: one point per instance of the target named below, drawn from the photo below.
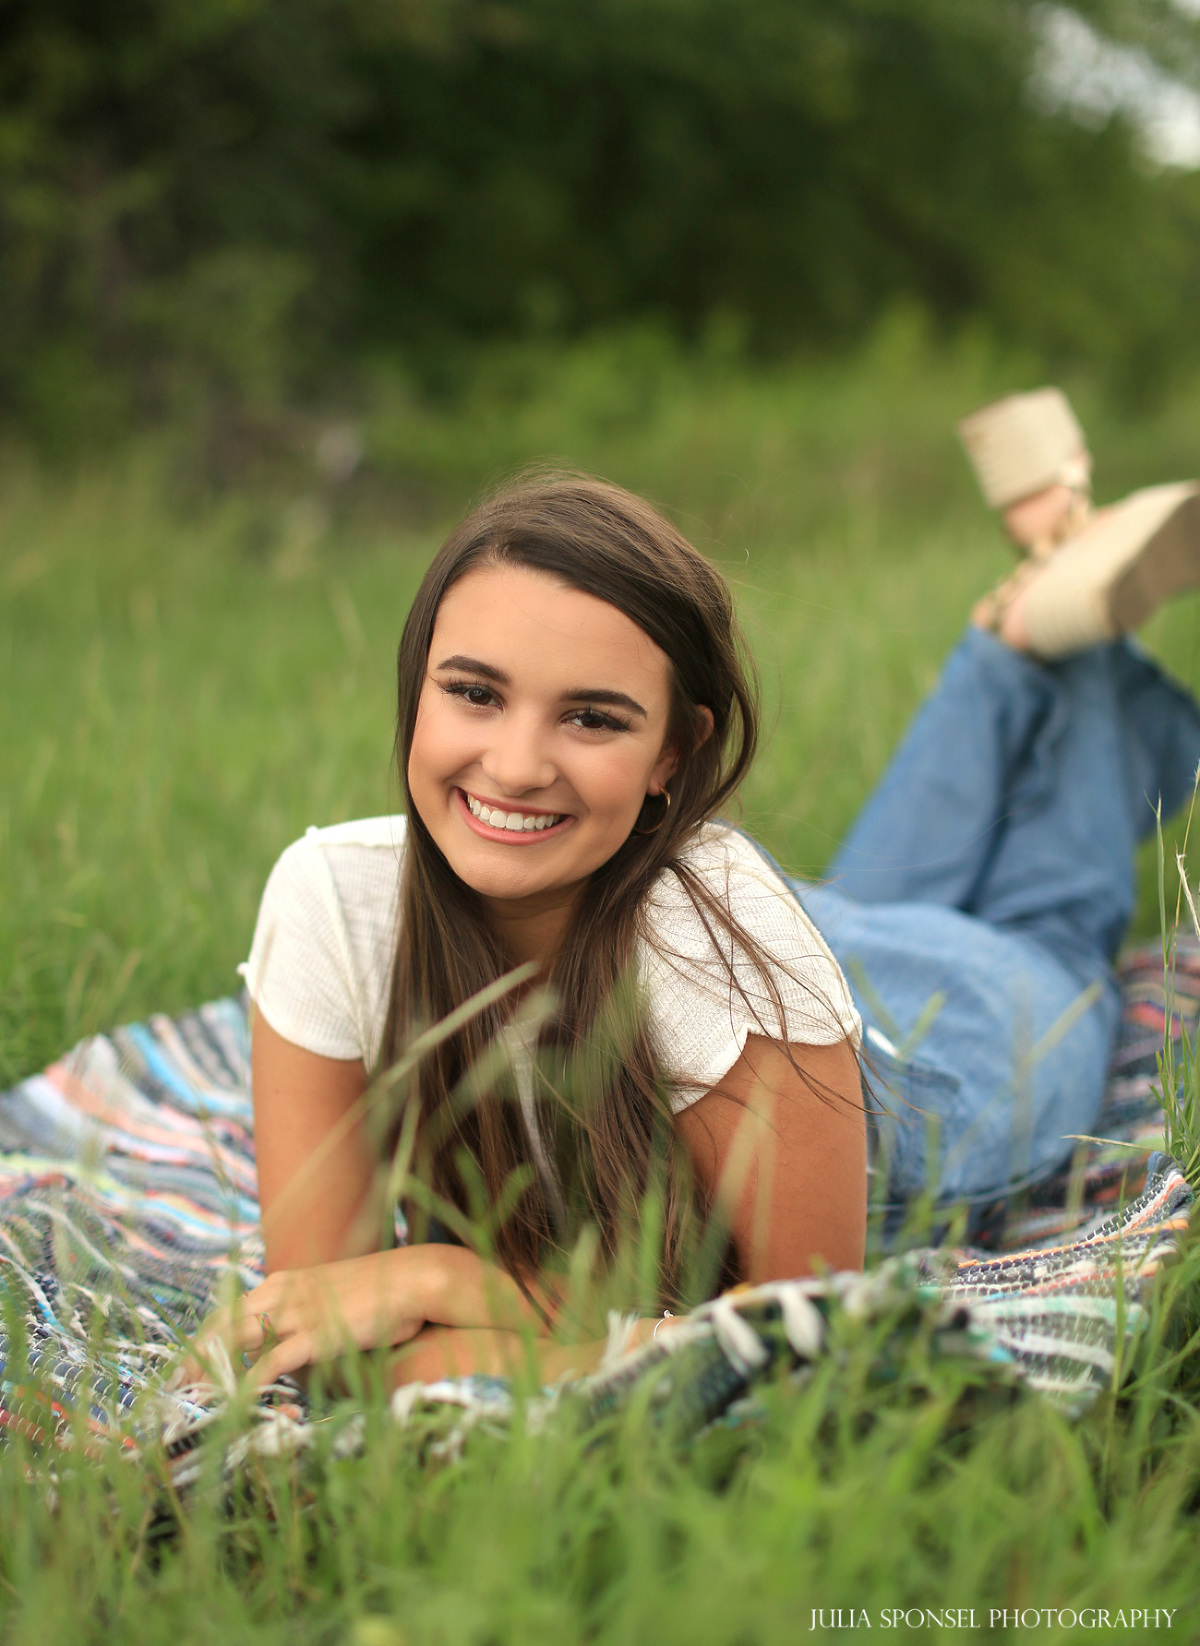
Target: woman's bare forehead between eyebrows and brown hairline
(544, 631)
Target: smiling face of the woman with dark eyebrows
(541, 730)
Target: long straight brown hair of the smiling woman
(608, 1150)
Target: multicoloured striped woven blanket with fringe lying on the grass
(128, 1197)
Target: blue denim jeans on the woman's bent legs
(982, 896)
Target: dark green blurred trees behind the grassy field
(231, 200)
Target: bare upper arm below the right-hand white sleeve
(783, 1160)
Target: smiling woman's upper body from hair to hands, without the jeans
(572, 714)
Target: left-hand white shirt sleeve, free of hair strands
(302, 974)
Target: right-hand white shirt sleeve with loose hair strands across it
(705, 993)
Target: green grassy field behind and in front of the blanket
(192, 677)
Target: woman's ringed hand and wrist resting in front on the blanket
(304, 1316)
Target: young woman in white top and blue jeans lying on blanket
(574, 714)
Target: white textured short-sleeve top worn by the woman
(322, 957)
